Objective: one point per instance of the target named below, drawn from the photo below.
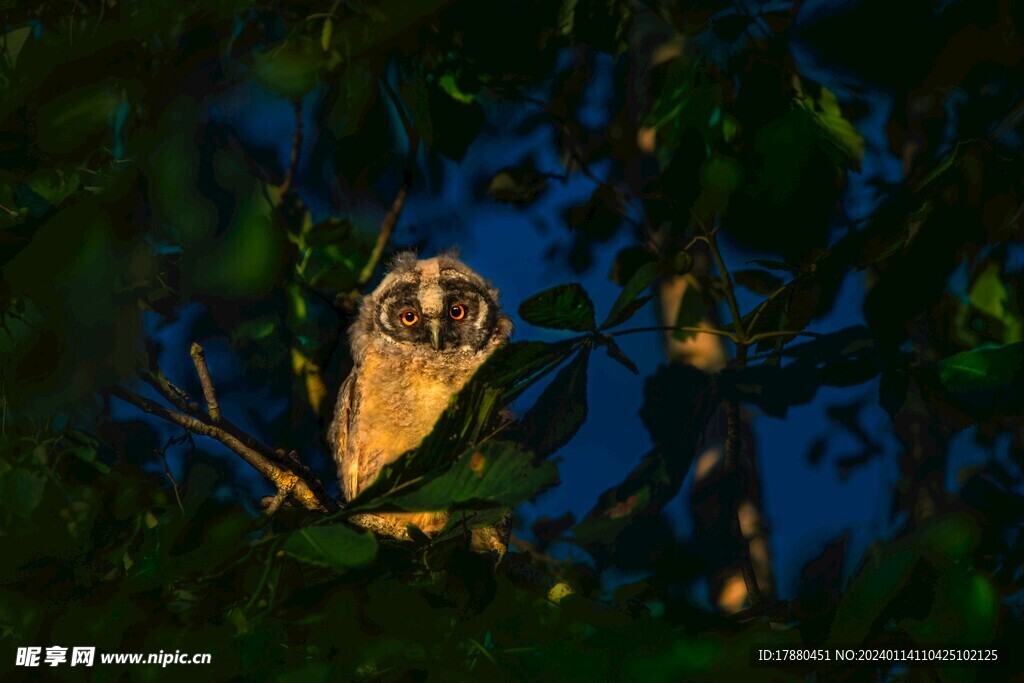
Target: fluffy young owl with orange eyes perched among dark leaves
(417, 340)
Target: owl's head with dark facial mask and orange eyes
(439, 305)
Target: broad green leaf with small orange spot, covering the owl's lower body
(498, 475)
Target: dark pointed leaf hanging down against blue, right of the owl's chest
(561, 410)
